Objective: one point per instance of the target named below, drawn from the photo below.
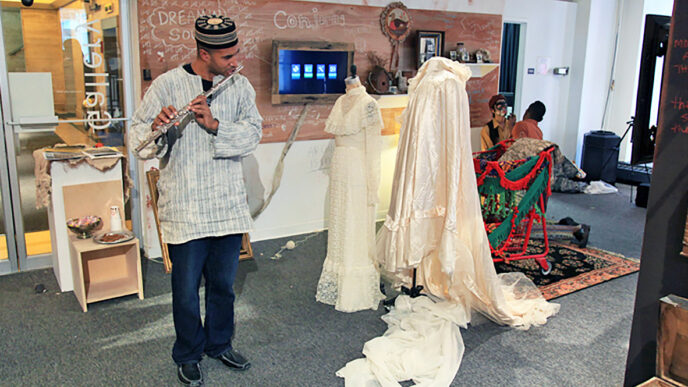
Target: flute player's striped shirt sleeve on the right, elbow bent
(241, 137)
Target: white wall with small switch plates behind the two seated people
(550, 36)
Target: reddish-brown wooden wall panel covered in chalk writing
(166, 41)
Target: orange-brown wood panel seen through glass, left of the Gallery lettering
(43, 48)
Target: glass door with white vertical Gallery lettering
(61, 85)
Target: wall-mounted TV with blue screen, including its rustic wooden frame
(309, 71)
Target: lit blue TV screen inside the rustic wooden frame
(312, 71)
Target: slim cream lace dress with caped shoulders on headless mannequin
(349, 279)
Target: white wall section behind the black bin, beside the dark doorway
(596, 34)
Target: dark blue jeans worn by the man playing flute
(216, 259)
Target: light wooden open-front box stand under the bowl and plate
(102, 272)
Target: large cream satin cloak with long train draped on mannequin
(434, 221)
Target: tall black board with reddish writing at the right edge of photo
(663, 270)
